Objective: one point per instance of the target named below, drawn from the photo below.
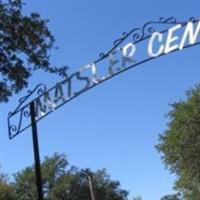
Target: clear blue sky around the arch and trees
(115, 125)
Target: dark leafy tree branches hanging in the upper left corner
(25, 44)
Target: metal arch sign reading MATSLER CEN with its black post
(123, 56)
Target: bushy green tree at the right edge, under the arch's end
(180, 144)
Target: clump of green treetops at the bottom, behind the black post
(61, 183)
